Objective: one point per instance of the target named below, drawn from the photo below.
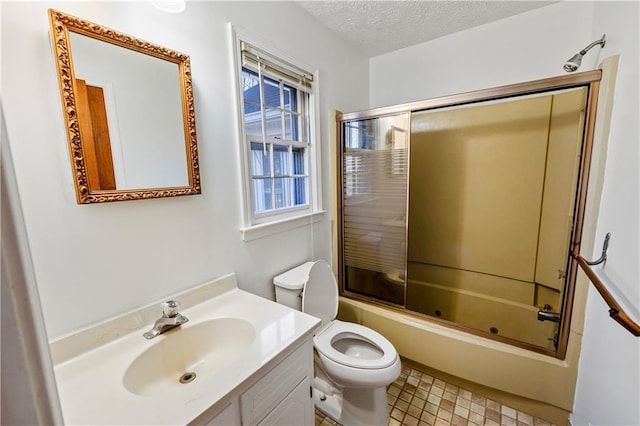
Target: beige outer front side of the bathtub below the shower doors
(533, 382)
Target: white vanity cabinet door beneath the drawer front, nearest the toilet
(295, 409)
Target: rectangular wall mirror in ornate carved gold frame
(129, 112)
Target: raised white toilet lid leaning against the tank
(320, 295)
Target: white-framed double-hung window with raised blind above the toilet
(277, 143)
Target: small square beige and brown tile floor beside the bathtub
(418, 399)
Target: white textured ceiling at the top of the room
(378, 27)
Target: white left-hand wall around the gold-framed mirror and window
(95, 261)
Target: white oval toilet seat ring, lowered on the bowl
(323, 343)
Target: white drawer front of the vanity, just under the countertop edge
(258, 401)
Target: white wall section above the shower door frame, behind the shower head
(524, 47)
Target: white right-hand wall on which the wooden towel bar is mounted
(608, 389)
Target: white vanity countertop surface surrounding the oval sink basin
(90, 384)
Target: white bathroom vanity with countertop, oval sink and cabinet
(240, 359)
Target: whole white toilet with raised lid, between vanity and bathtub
(353, 364)
